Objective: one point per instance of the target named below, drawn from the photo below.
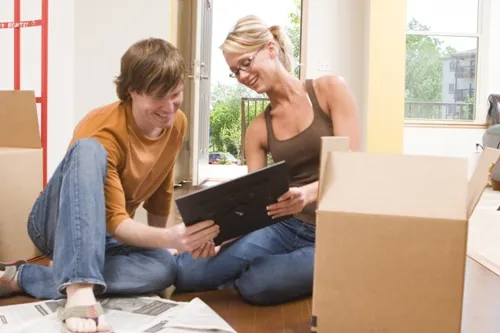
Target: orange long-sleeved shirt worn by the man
(140, 169)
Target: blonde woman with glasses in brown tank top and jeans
(275, 264)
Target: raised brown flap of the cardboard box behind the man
(19, 119)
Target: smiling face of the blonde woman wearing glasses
(257, 69)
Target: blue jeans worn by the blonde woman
(269, 266)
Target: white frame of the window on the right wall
(483, 19)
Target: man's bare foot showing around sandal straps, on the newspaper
(83, 295)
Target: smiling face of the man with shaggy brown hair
(157, 112)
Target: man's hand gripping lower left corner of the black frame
(192, 238)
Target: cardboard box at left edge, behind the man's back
(21, 170)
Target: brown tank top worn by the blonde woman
(301, 152)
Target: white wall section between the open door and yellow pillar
(337, 35)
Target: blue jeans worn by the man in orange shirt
(68, 225)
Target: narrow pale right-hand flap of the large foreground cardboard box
(480, 177)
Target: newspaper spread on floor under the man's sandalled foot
(124, 315)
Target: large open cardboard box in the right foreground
(391, 242)
